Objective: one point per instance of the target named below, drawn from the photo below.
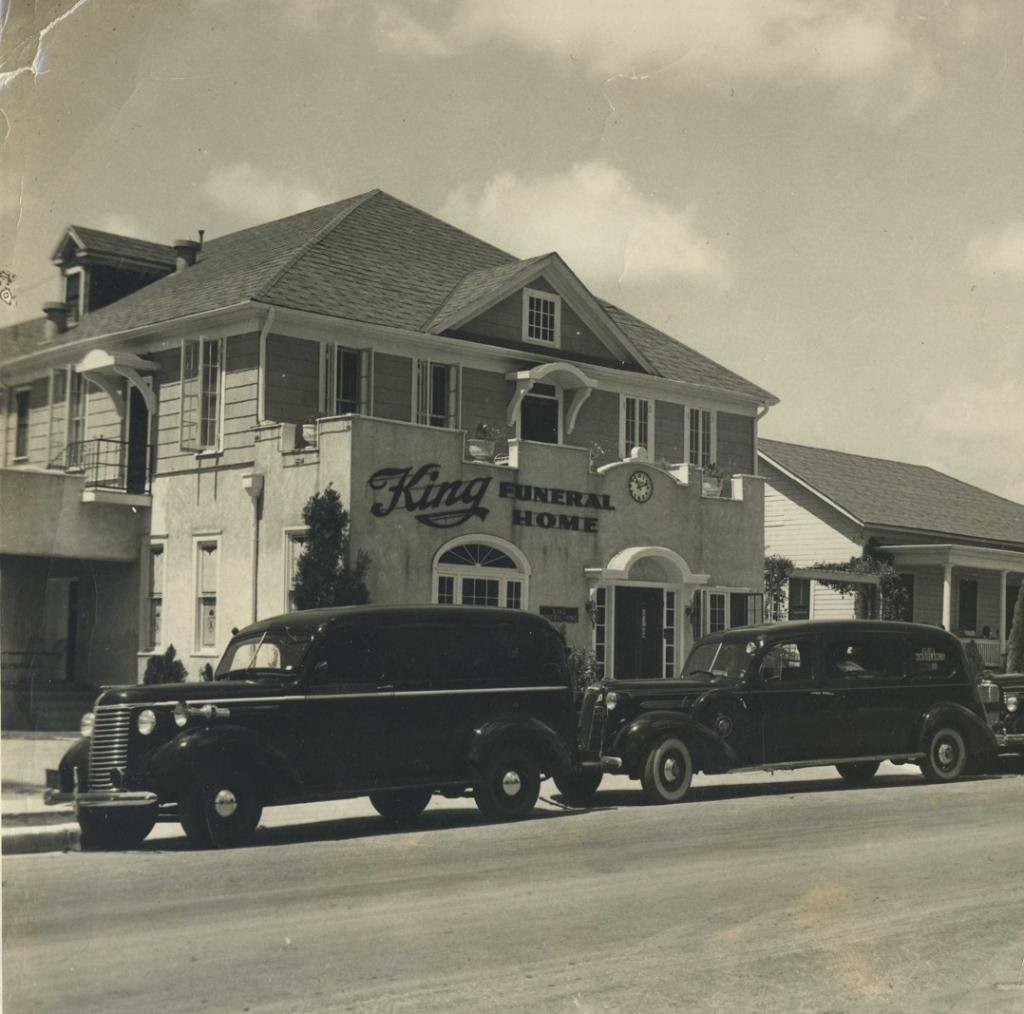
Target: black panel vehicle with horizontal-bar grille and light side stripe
(395, 703)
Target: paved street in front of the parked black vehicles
(787, 894)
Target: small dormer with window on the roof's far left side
(99, 269)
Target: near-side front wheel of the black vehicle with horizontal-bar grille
(222, 809)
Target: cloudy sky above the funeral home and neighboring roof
(826, 197)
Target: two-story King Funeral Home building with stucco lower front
(165, 432)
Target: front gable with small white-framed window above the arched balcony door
(541, 307)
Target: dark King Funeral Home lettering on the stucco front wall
(446, 504)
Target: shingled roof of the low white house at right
(892, 494)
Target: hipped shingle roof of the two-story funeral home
(371, 259)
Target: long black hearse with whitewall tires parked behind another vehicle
(799, 695)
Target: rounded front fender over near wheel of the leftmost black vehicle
(176, 764)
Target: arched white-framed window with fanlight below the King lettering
(481, 573)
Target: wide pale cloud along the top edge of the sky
(875, 59)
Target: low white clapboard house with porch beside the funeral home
(960, 550)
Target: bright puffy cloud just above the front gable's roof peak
(606, 230)
